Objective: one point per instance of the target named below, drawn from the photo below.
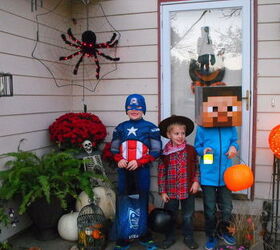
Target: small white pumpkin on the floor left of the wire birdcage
(67, 226)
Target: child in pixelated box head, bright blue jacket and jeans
(218, 111)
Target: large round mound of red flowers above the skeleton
(71, 129)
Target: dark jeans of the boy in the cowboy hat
(187, 206)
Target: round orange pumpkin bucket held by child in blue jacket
(238, 177)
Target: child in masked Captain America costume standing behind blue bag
(135, 144)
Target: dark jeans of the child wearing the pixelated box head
(214, 197)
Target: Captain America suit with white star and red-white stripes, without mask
(135, 140)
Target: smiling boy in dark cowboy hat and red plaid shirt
(178, 176)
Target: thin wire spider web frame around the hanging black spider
(42, 61)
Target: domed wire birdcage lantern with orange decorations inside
(91, 227)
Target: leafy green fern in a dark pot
(44, 182)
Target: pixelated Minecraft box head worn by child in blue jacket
(218, 106)
